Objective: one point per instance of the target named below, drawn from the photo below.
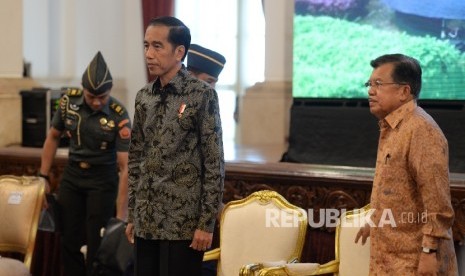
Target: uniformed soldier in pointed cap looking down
(99, 130)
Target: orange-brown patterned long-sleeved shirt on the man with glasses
(411, 194)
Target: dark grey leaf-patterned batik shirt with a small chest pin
(176, 161)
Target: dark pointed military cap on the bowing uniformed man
(97, 78)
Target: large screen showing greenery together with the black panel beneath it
(334, 42)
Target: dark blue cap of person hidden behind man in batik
(205, 60)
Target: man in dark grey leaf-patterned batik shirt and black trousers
(176, 162)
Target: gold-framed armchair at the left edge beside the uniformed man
(21, 201)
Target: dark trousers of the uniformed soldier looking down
(87, 200)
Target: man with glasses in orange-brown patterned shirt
(411, 195)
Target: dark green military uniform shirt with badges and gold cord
(95, 136)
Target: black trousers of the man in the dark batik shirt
(166, 258)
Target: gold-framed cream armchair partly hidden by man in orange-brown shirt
(352, 259)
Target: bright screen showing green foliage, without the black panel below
(335, 40)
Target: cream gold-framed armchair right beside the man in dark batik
(259, 229)
